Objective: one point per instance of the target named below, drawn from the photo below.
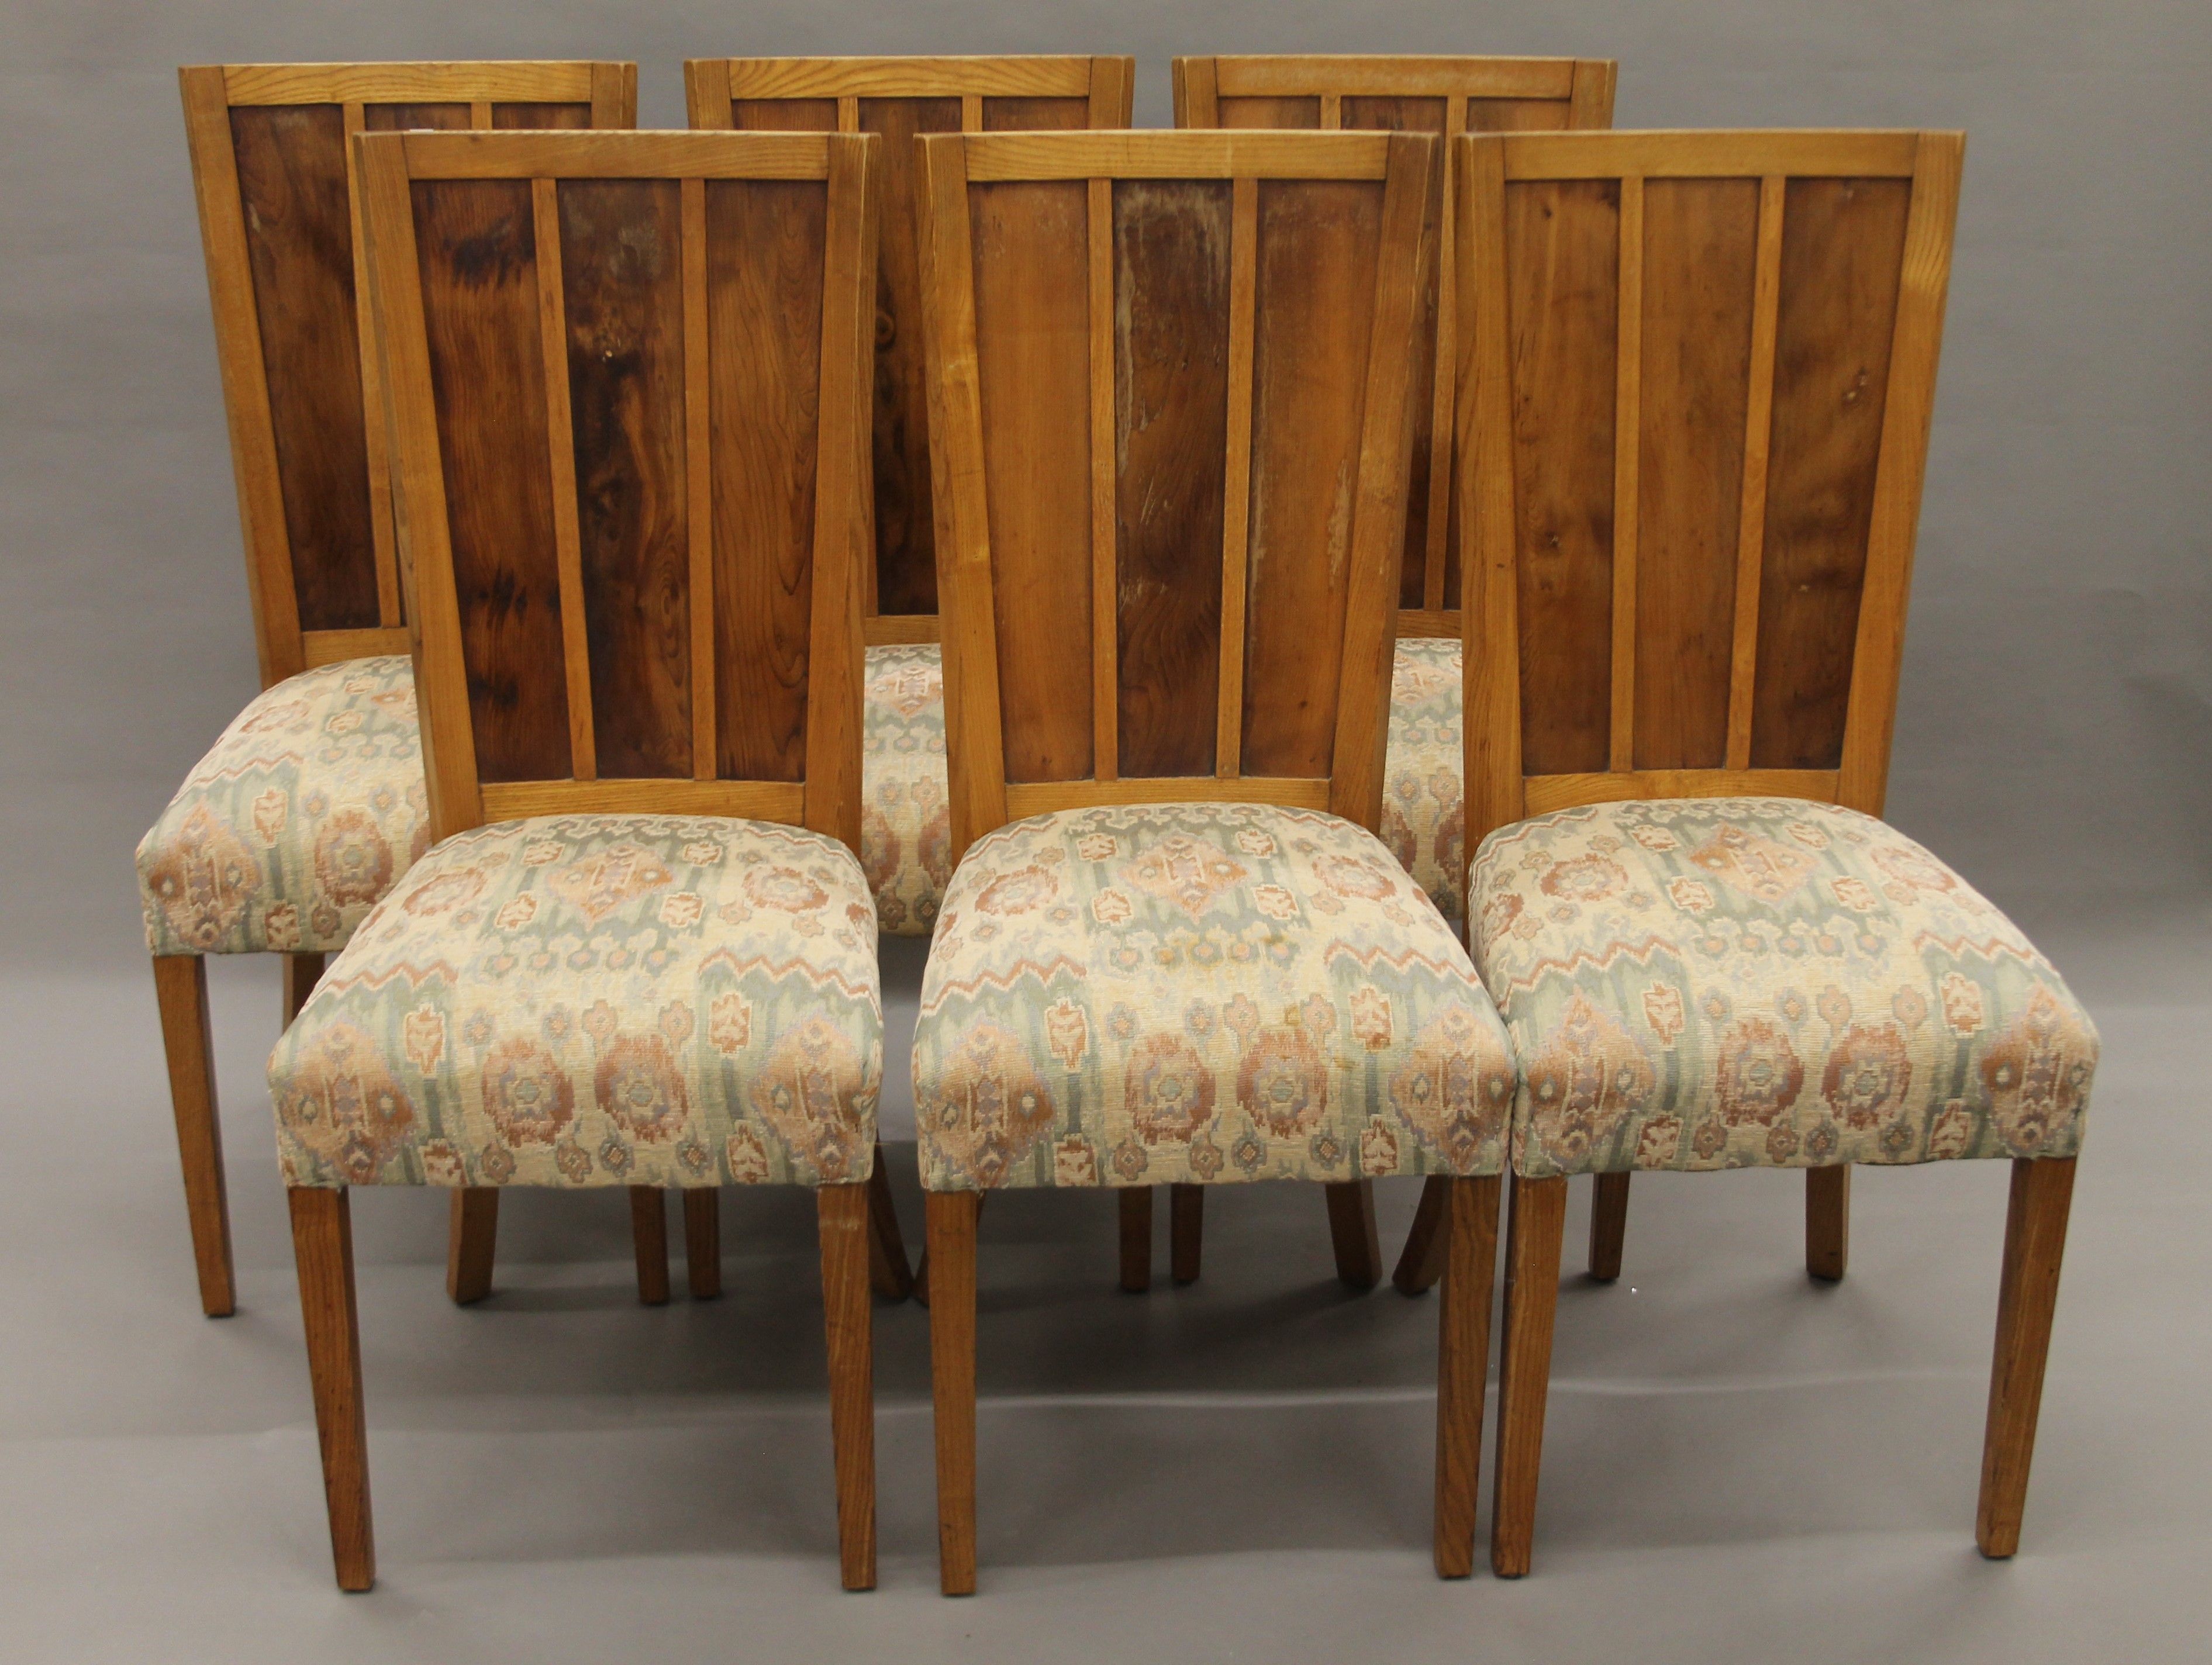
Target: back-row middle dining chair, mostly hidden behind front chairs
(904, 824)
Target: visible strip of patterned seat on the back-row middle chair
(906, 837)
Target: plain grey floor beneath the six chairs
(1740, 1465)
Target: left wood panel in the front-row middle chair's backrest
(1034, 375)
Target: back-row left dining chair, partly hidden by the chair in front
(311, 804)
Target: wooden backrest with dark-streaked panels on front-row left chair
(629, 406)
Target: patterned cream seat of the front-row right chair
(1731, 983)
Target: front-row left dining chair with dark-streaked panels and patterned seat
(629, 412)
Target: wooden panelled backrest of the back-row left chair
(280, 218)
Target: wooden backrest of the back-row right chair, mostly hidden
(1448, 96)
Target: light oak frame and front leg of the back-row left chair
(483, 94)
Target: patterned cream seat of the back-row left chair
(298, 824)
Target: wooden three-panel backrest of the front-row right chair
(1700, 375)
